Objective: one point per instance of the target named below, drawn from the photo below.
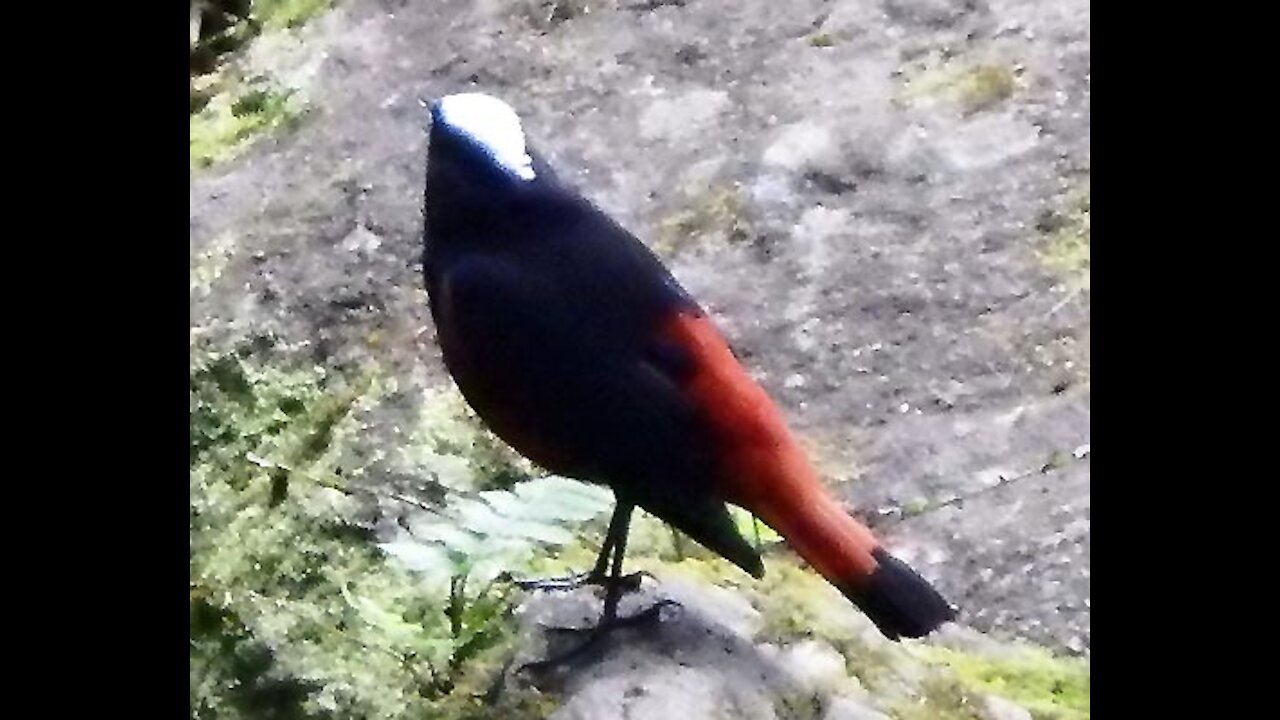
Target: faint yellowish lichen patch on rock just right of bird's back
(712, 217)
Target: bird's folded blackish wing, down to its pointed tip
(575, 397)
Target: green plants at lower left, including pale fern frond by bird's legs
(296, 612)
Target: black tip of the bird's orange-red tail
(899, 601)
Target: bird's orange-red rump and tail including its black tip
(765, 471)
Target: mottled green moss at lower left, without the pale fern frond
(296, 613)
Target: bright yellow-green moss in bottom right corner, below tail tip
(1052, 689)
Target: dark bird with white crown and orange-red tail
(575, 344)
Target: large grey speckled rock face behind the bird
(866, 194)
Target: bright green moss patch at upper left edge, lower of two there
(237, 115)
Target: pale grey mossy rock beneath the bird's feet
(790, 650)
